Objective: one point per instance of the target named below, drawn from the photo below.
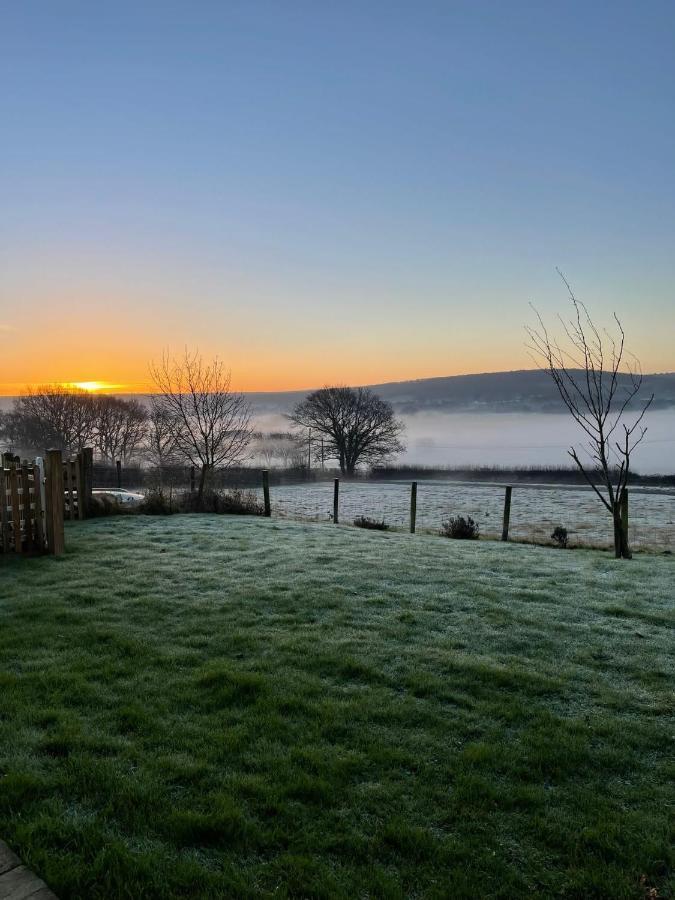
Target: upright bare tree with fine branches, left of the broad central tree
(212, 425)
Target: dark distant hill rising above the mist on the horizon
(529, 390)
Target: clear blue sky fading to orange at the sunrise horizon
(355, 193)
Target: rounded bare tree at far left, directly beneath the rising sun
(53, 415)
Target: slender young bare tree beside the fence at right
(599, 382)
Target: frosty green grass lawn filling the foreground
(206, 706)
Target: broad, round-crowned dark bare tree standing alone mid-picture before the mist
(358, 426)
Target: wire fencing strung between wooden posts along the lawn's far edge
(536, 509)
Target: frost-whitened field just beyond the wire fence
(535, 509)
